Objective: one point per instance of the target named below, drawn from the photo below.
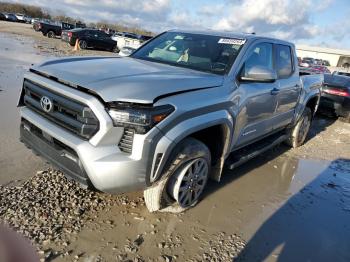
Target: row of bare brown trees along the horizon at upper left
(38, 12)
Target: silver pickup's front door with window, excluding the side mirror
(258, 101)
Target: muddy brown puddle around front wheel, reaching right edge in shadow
(287, 209)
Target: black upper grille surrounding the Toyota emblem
(66, 112)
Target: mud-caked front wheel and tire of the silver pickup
(165, 195)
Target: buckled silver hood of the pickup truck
(127, 79)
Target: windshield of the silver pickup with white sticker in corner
(206, 53)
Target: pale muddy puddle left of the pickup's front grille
(16, 56)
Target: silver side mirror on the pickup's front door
(259, 74)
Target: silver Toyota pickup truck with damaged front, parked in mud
(169, 117)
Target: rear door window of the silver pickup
(284, 63)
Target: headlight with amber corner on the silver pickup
(139, 118)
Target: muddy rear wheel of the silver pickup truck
(298, 134)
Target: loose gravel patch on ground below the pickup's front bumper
(48, 208)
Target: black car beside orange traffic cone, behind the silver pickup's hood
(89, 38)
